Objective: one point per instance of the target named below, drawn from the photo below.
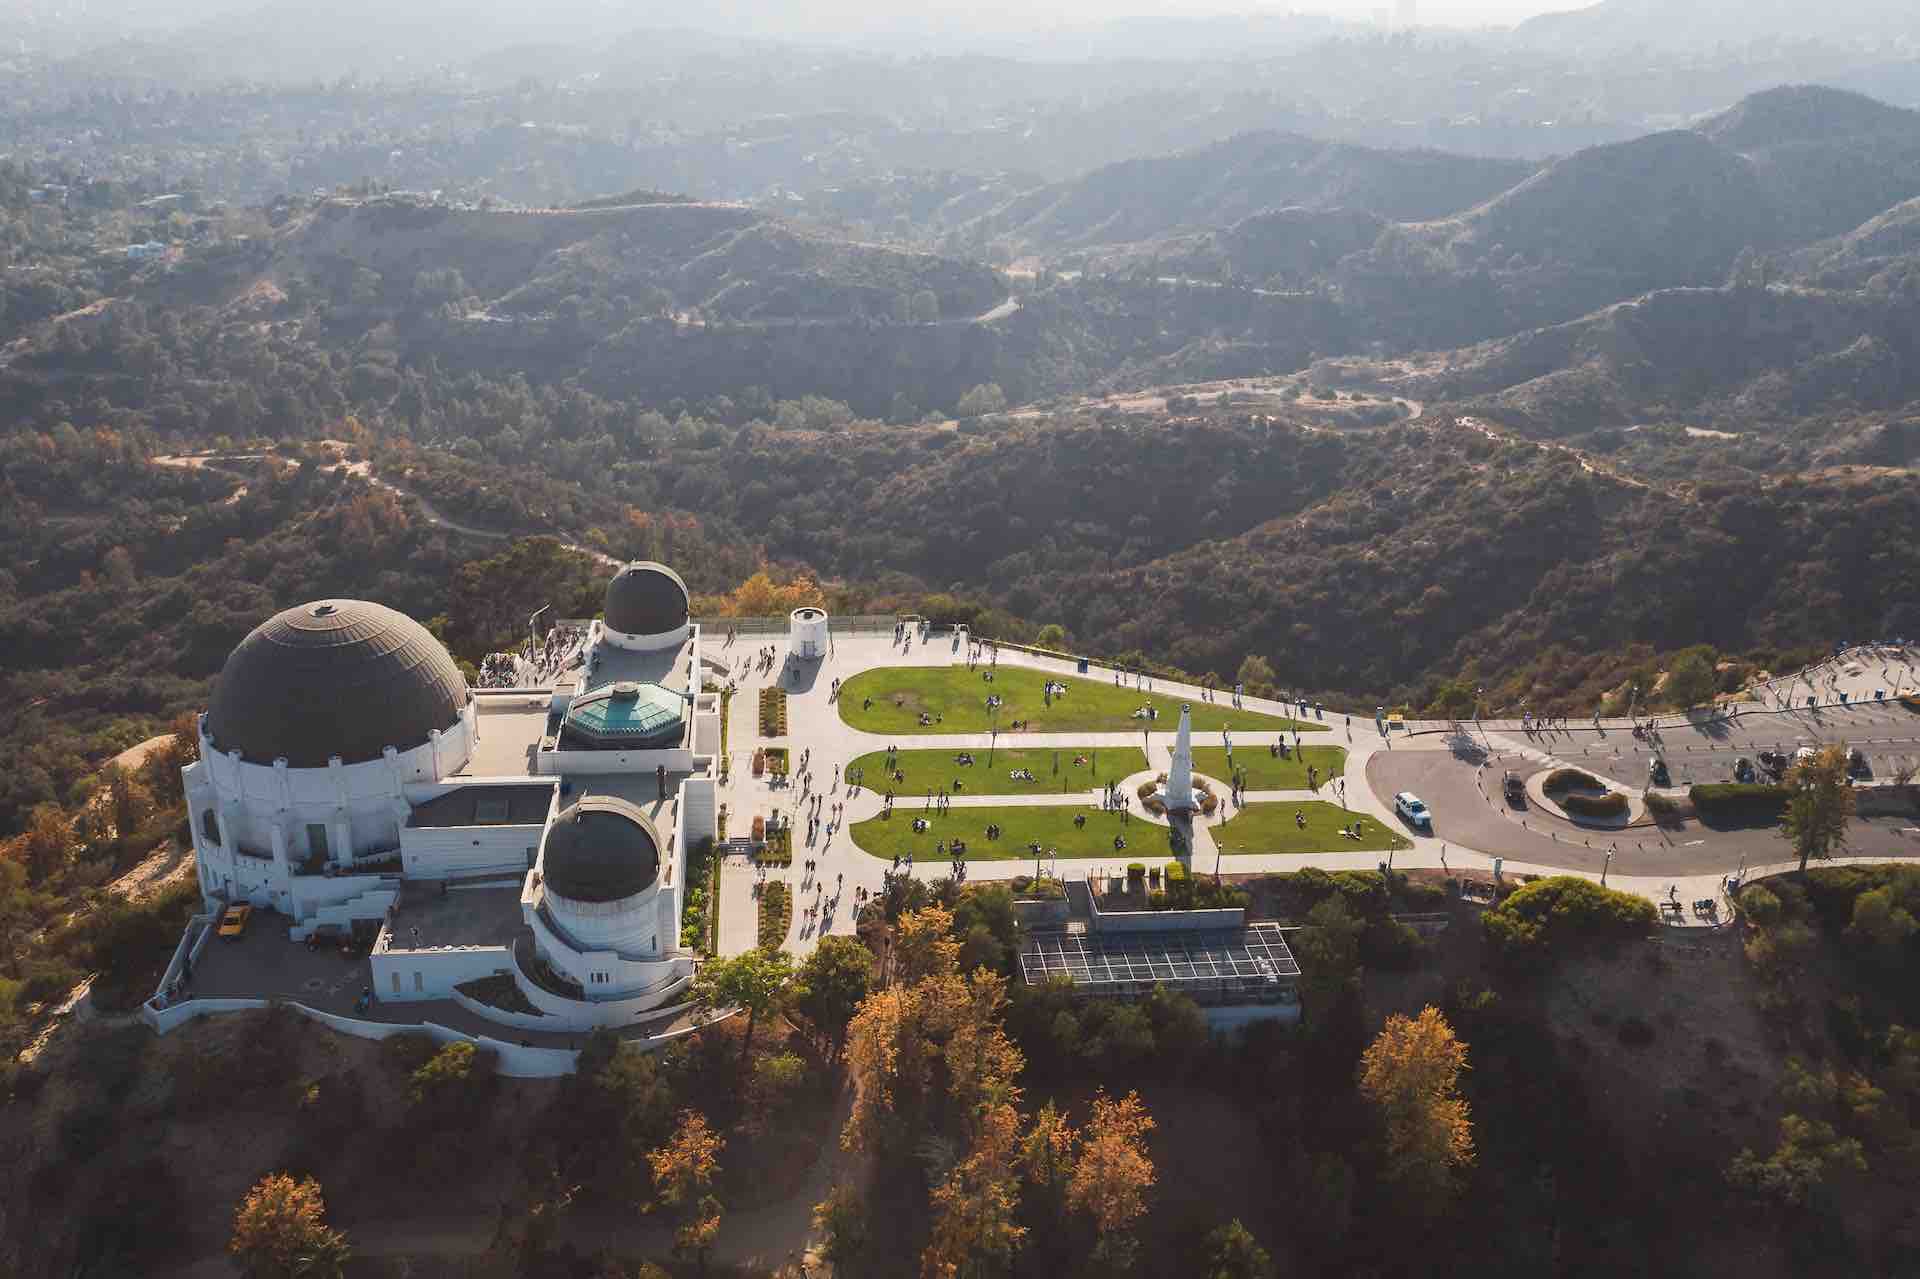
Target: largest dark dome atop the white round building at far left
(335, 677)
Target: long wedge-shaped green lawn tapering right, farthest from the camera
(957, 702)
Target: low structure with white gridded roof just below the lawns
(1241, 959)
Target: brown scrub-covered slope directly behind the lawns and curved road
(1445, 550)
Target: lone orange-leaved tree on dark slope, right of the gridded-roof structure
(1412, 1076)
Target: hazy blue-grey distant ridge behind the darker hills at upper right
(1220, 185)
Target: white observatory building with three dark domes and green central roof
(352, 784)
